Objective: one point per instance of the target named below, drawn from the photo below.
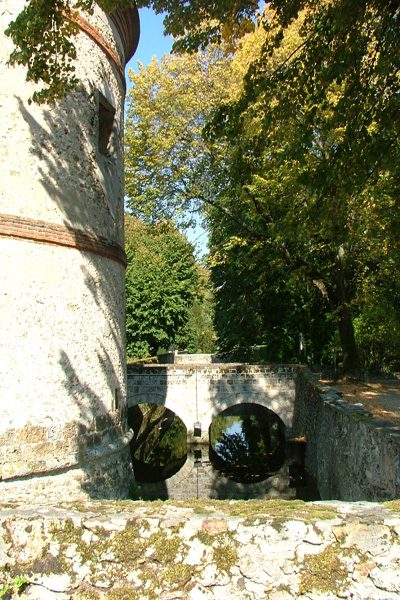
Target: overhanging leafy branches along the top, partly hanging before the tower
(43, 33)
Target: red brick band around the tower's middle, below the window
(57, 235)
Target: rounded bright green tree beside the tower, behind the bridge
(161, 285)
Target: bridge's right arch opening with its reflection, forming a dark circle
(247, 443)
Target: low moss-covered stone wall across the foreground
(210, 550)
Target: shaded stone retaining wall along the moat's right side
(352, 454)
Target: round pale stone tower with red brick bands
(63, 431)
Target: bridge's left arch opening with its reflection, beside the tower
(159, 444)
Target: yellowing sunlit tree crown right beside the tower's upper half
(168, 163)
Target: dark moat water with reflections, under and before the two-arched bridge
(247, 458)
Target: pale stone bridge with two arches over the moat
(198, 393)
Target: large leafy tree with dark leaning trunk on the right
(316, 145)
